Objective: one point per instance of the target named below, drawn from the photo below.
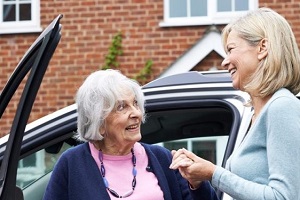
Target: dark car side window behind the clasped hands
(206, 127)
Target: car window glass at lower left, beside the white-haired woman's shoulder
(36, 165)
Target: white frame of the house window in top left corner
(34, 25)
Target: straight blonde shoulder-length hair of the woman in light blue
(281, 67)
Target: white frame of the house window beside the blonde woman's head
(213, 17)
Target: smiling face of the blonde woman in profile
(241, 60)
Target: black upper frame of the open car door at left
(34, 62)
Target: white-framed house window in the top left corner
(19, 16)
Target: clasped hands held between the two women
(192, 167)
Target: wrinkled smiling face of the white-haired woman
(122, 126)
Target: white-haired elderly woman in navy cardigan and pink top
(111, 163)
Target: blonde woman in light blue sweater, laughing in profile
(264, 61)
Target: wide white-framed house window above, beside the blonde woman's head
(204, 12)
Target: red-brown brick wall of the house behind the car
(87, 31)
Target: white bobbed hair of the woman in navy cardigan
(96, 98)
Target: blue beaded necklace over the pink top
(134, 172)
